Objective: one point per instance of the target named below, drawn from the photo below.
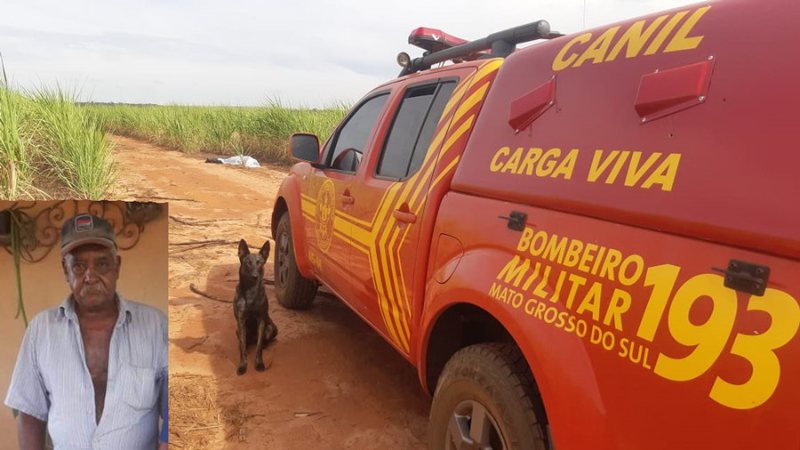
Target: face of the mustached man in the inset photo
(91, 272)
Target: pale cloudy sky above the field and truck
(304, 53)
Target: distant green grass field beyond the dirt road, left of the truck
(262, 132)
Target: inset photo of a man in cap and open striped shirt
(84, 291)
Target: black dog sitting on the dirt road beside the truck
(250, 306)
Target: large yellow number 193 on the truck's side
(710, 338)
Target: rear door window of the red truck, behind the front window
(412, 129)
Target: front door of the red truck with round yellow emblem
(330, 193)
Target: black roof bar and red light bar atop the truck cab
(440, 47)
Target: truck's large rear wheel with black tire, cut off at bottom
(486, 395)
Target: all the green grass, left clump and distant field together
(52, 145)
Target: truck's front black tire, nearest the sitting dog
(292, 289)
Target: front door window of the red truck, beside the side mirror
(352, 136)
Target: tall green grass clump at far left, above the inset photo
(48, 143)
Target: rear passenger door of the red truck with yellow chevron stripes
(389, 199)
